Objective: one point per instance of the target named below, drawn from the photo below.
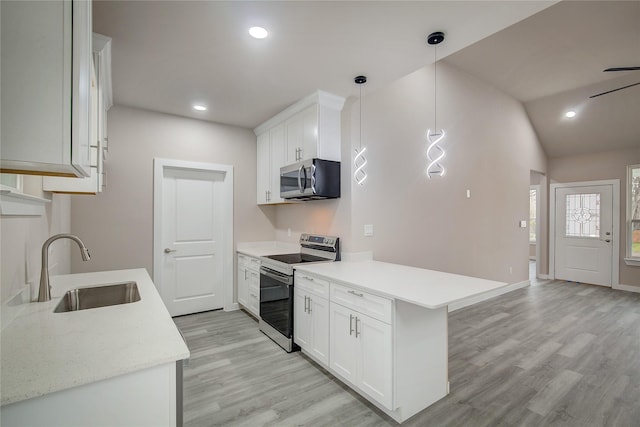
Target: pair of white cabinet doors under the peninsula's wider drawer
(361, 352)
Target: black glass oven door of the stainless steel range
(276, 300)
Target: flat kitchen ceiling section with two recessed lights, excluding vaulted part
(168, 55)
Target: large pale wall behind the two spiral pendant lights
(491, 148)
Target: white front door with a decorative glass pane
(584, 237)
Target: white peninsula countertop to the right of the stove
(426, 288)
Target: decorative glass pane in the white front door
(583, 215)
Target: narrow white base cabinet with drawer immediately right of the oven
(311, 317)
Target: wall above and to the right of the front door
(599, 166)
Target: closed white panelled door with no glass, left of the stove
(191, 232)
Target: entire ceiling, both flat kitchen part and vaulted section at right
(168, 55)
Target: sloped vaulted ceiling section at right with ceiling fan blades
(553, 62)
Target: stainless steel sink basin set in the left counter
(98, 296)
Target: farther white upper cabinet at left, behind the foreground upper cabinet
(101, 101)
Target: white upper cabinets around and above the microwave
(308, 129)
